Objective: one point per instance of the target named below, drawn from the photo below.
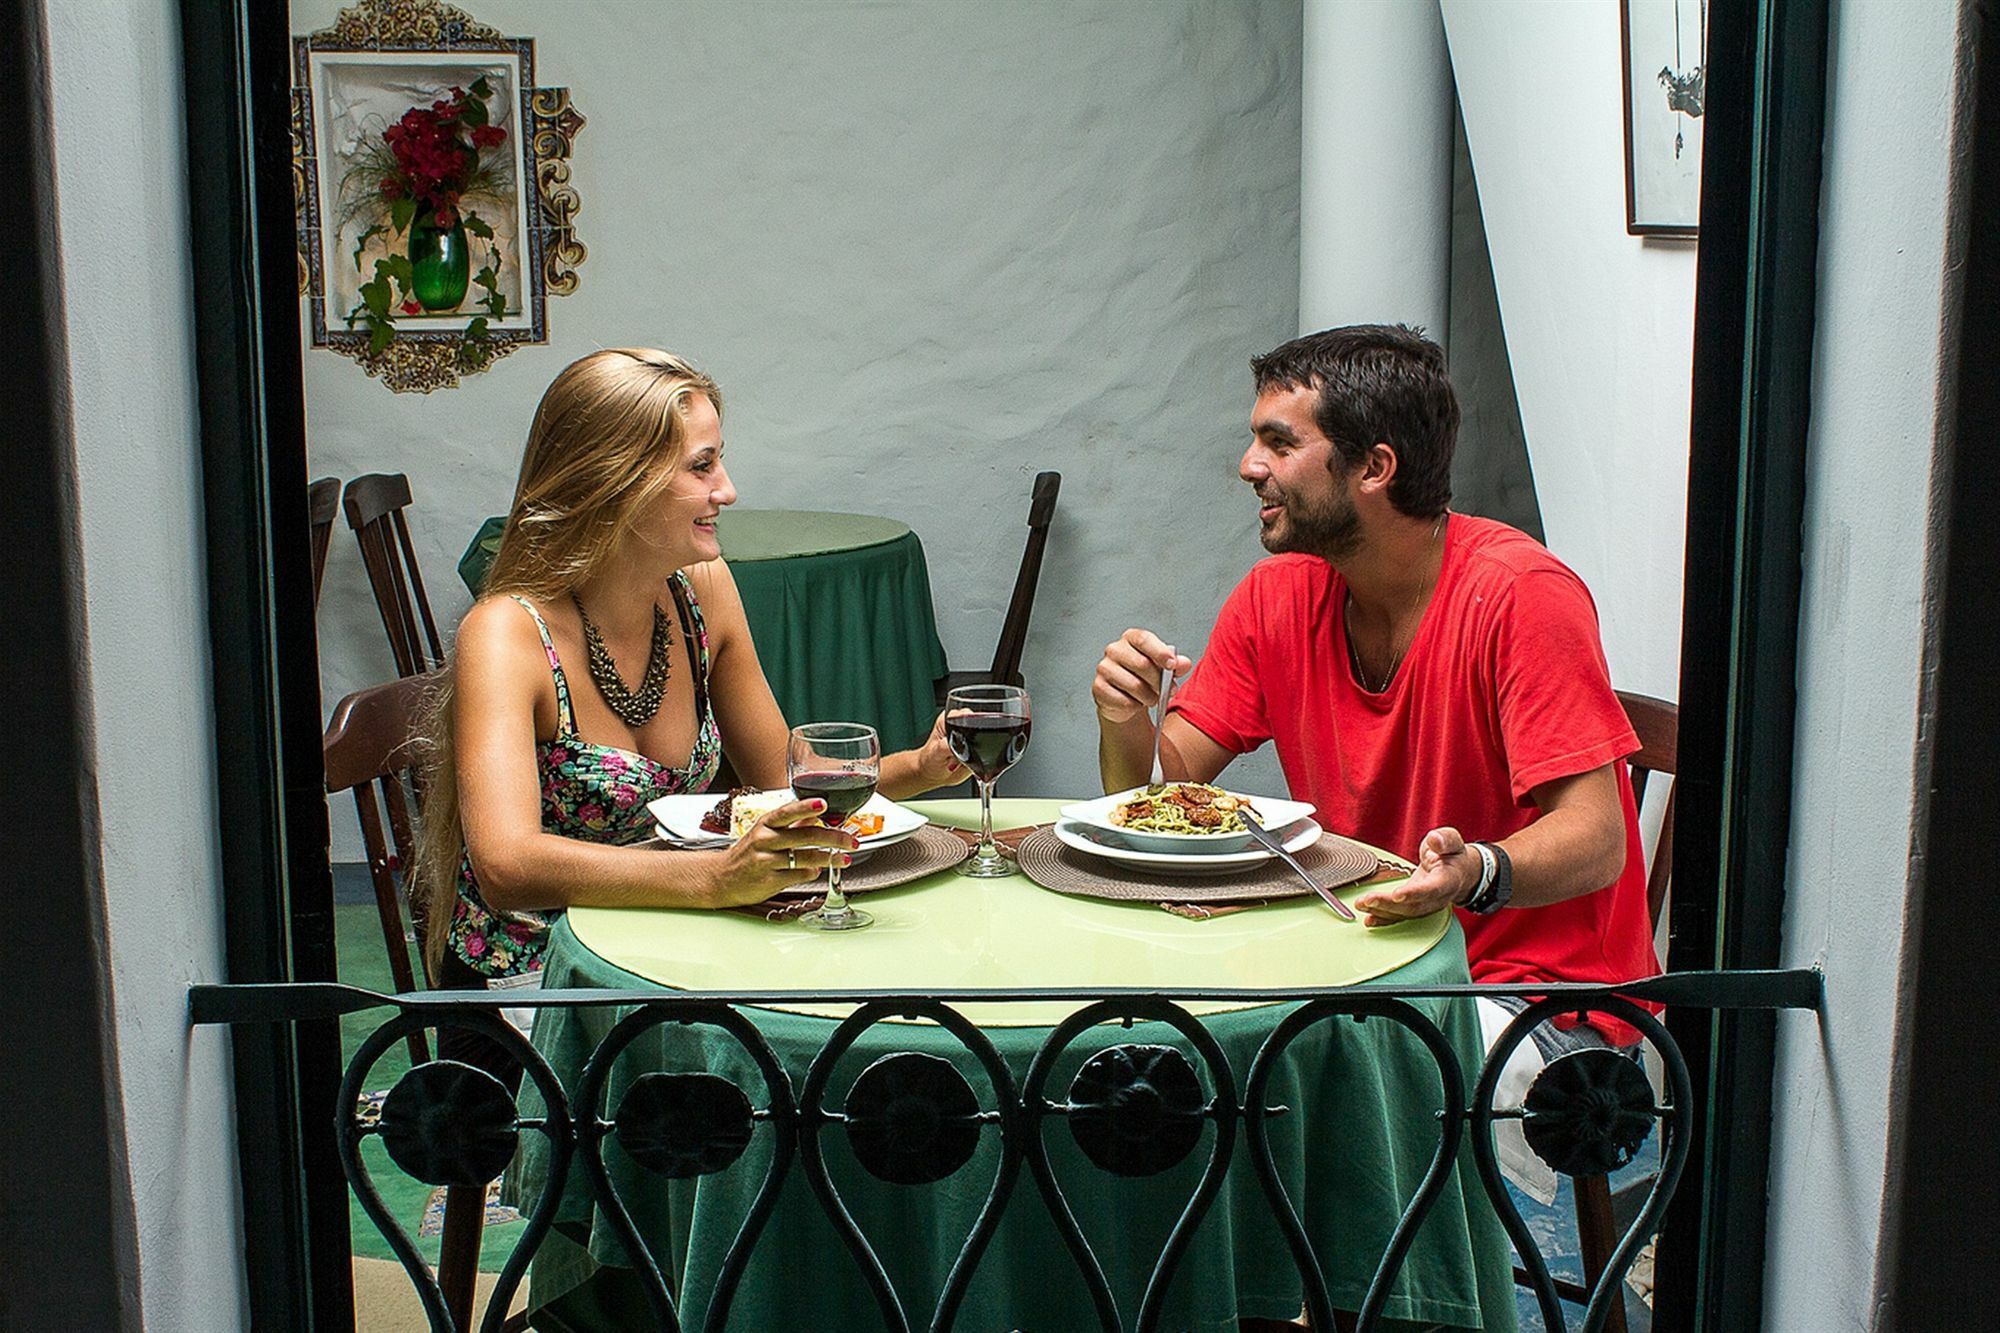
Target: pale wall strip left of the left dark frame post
(119, 139)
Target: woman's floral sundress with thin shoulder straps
(595, 794)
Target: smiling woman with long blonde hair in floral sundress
(609, 663)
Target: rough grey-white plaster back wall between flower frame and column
(929, 251)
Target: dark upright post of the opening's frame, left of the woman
(277, 880)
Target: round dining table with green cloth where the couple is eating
(1353, 1146)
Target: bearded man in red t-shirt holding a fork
(1433, 682)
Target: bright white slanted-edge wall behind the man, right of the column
(1599, 325)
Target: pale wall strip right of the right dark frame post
(1877, 361)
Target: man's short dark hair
(1377, 383)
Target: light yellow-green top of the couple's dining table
(951, 932)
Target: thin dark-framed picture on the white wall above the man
(1665, 85)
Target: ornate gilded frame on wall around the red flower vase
(379, 63)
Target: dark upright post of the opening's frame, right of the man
(1747, 493)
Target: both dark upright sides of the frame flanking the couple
(1745, 499)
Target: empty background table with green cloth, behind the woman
(839, 607)
